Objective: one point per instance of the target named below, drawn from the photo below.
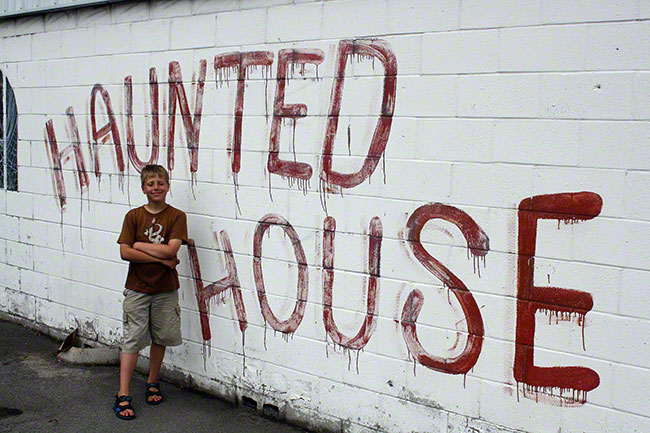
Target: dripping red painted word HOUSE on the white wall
(565, 304)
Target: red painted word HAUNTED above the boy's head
(239, 63)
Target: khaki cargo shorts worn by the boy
(150, 318)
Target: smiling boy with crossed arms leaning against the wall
(151, 236)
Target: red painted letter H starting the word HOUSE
(205, 293)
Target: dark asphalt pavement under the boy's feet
(40, 394)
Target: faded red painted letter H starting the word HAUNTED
(57, 158)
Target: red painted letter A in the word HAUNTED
(101, 135)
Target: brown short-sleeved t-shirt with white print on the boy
(142, 226)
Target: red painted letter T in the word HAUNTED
(241, 63)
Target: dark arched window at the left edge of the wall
(8, 136)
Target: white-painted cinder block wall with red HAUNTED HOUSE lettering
(483, 265)
